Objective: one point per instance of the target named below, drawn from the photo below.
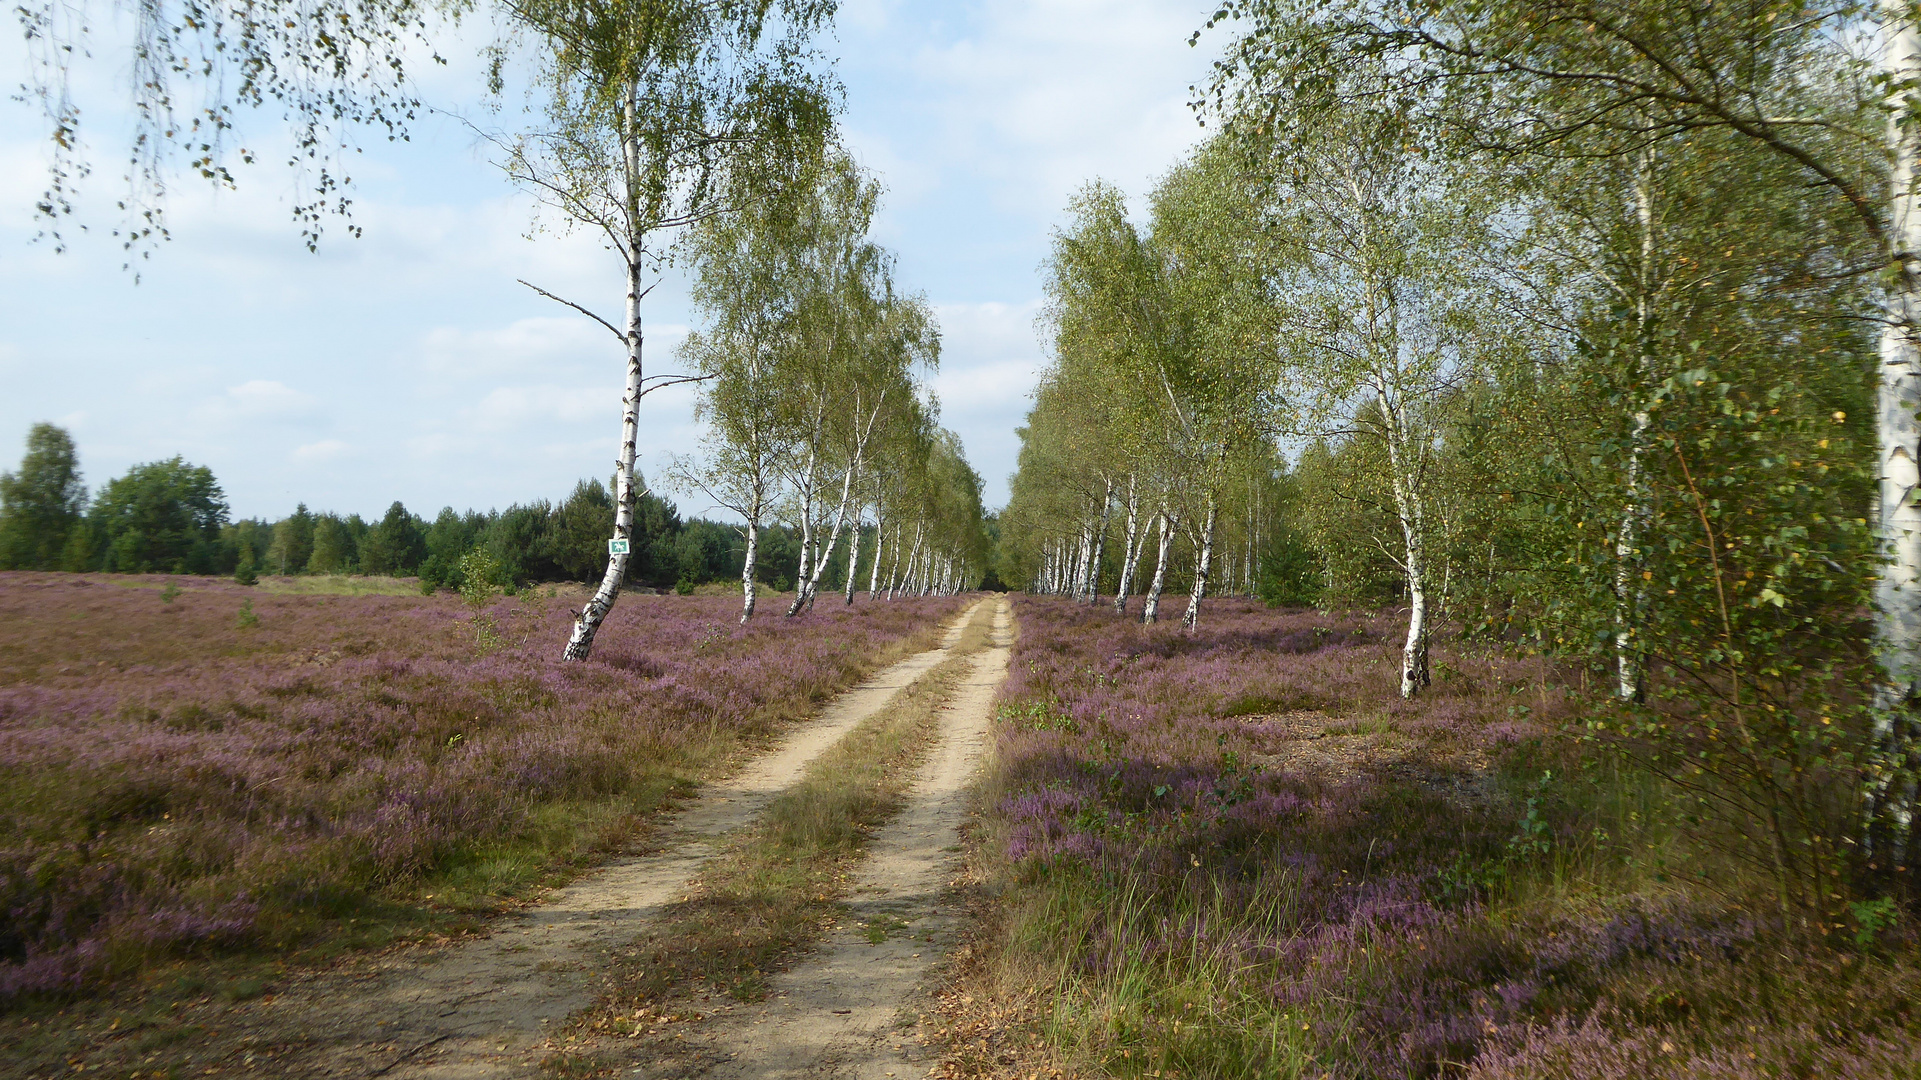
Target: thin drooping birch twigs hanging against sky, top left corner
(328, 66)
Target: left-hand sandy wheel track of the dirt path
(481, 1010)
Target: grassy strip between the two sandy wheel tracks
(779, 887)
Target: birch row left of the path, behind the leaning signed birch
(815, 408)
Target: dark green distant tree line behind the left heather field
(174, 518)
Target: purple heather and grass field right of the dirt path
(1257, 860)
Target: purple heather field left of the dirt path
(170, 781)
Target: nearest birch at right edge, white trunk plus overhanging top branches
(1828, 89)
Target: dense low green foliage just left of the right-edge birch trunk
(1761, 570)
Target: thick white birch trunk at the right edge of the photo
(1899, 516)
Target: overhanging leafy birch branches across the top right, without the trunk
(1588, 80)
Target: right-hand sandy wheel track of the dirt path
(848, 1008)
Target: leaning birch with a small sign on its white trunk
(656, 116)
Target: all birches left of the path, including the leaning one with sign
(706, 132)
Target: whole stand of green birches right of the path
(1570, 322)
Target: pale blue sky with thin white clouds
(410, 366)
